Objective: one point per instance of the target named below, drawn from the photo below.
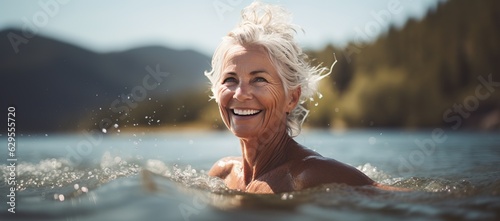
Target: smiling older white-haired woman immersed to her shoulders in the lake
(259, 79)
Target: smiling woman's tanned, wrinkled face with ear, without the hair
(251, 95)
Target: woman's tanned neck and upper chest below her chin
(263, 154)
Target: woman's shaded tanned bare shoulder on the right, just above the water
(316, 170)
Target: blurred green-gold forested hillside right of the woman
(425, 74)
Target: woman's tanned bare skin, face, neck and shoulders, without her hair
(254, 105)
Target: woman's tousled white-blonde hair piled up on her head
(270, 27)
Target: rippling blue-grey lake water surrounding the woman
(162, 176)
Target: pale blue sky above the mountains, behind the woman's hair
(116, 25)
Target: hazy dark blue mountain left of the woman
(54, 85)
